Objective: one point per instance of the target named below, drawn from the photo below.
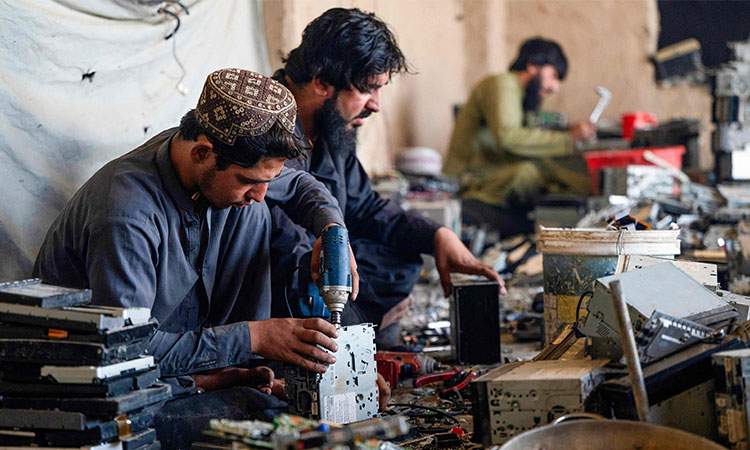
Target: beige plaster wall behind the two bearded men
(454, 43)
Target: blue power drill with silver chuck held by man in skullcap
(335, 271)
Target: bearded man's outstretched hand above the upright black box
(451, 255)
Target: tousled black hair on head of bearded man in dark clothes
(345, 48)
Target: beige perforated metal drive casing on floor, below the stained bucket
(510, 400)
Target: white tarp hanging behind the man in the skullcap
(57, 126)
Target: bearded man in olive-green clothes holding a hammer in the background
(503, 160)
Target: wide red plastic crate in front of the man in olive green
(598, 160)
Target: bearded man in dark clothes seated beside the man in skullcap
(336, 75)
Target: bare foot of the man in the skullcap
(260, 378)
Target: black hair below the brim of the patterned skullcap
(277, 142)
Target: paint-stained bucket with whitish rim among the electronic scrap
(573, 258)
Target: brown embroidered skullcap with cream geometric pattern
(237, 102)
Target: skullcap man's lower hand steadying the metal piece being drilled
(294, 341)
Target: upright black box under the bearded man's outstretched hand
(475, 322)
